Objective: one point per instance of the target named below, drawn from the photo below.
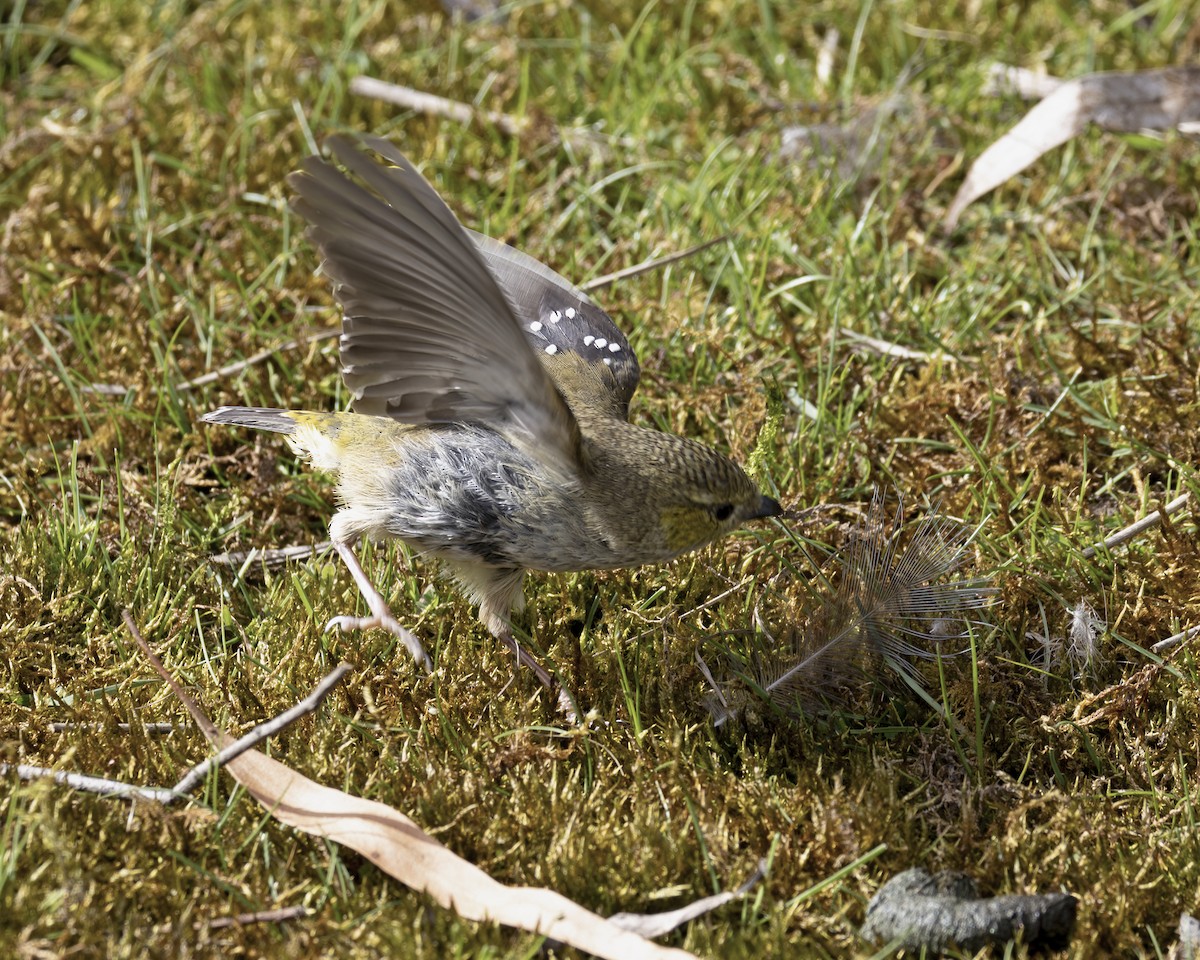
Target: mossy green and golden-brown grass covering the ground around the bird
(147, 243)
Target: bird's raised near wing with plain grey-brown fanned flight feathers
(428, 334)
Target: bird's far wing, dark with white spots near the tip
(559, 317)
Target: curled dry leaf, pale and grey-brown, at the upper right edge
(1147, 100)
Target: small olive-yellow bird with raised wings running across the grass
(491, 400)
